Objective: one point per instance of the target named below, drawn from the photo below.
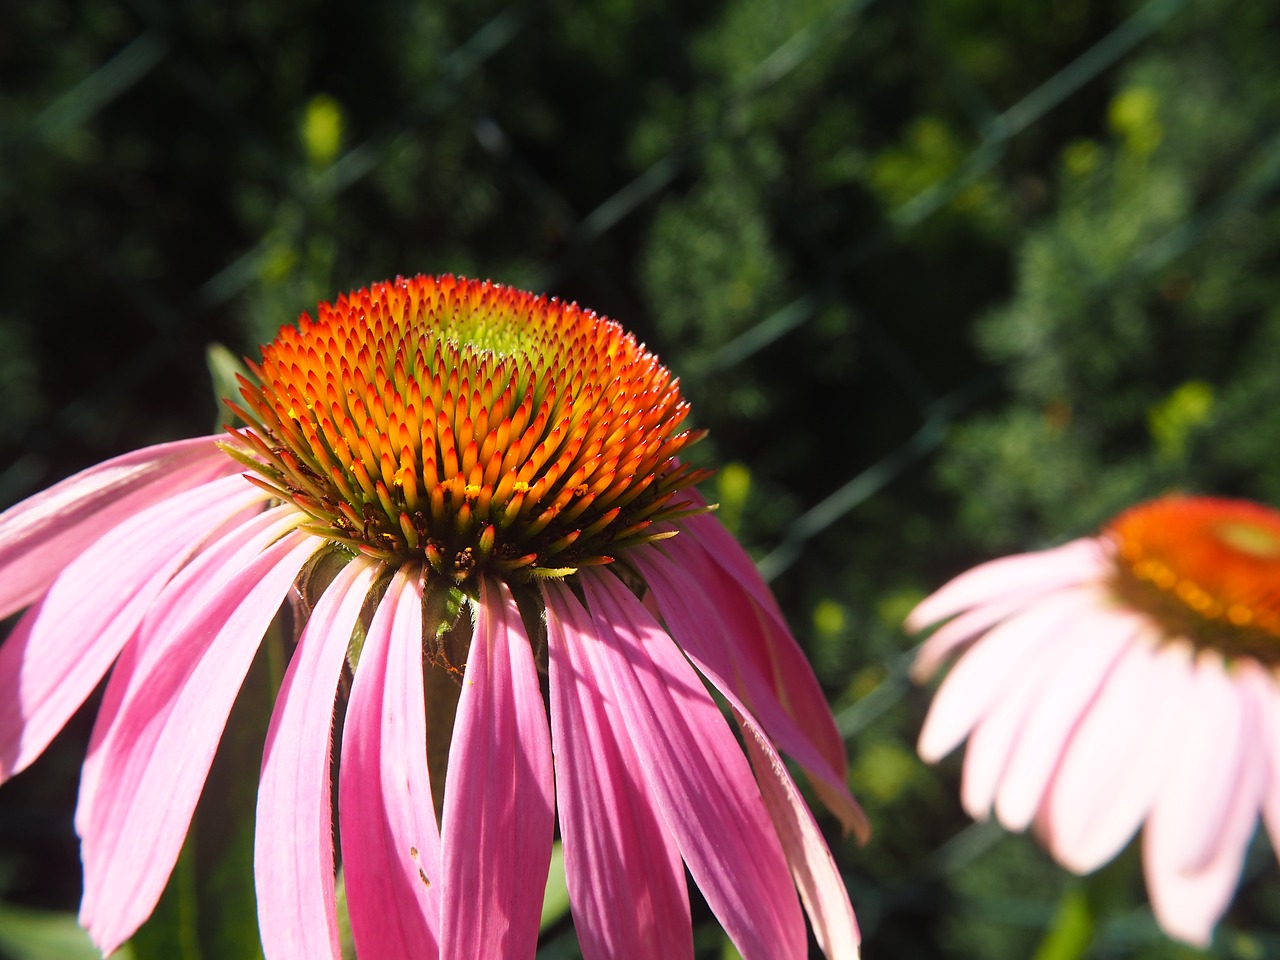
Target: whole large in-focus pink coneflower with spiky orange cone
(444, 476)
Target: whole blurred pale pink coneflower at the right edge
(1122, 682)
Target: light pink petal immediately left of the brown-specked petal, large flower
(294, 868)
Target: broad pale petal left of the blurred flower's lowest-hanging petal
(1118, 757)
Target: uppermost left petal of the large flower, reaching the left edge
(42, 536)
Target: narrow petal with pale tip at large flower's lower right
(822, 889)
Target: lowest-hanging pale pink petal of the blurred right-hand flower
(1191, 885)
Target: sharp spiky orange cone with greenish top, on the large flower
(469, 424)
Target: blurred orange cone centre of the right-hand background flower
(1208, 569)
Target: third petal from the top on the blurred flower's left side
(991, 666)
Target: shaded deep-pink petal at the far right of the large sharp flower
(757, 634)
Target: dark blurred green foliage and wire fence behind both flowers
(945, 278)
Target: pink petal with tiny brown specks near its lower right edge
(391, 847)
